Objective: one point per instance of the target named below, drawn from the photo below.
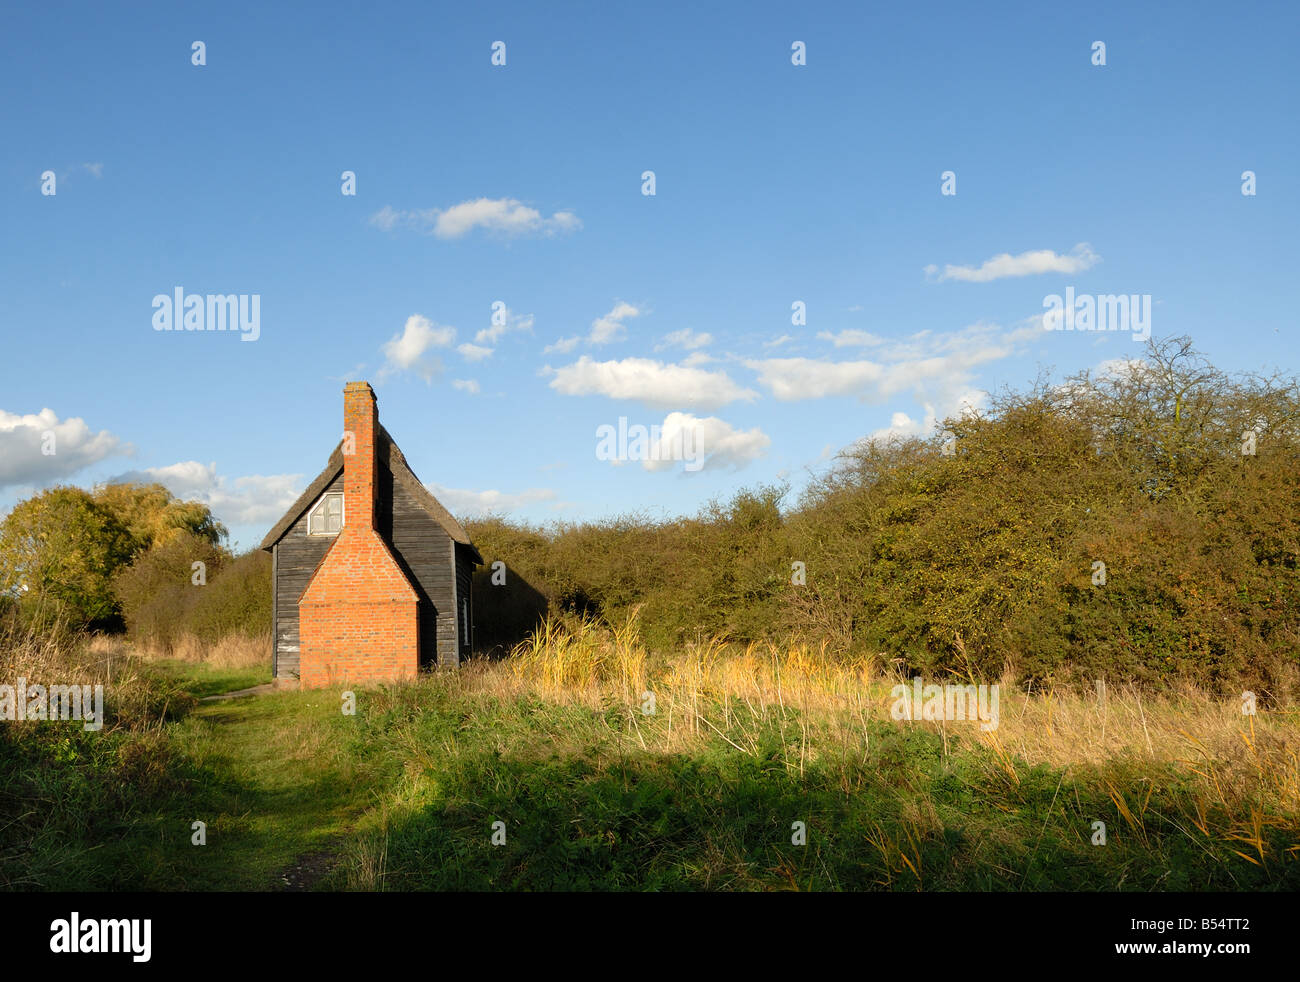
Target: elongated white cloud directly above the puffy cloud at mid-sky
(649, 382)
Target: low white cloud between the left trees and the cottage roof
(255, 500)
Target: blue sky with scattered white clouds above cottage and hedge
(522, 184)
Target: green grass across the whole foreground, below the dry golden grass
(405, 794)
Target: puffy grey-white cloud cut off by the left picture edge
(73, 445)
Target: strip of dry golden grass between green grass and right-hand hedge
(1249, 767)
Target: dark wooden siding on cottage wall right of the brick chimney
(423, 550)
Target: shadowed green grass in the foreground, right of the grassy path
(726, 821)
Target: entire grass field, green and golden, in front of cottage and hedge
(592, 793)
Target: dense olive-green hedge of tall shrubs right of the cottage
(983, 553)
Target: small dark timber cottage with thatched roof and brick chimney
(371, 577)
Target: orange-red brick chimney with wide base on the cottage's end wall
(359, 616)
